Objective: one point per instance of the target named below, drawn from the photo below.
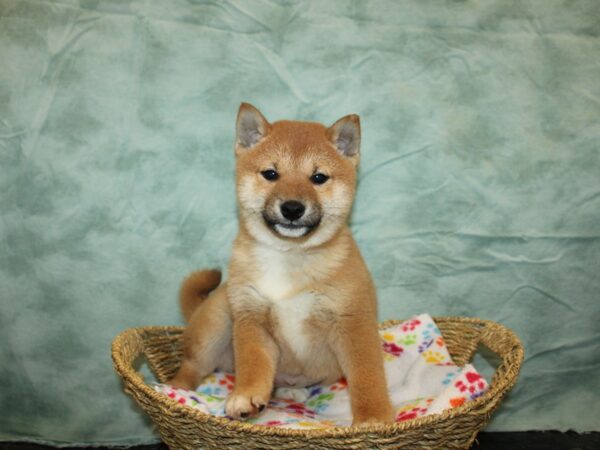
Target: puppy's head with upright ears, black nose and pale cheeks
(295, 180)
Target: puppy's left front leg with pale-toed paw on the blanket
(256, 357)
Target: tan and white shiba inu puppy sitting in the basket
(299, 307)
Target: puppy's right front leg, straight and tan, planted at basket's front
(358, 349)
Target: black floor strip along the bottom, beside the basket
(531, 440)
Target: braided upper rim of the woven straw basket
(486, 402)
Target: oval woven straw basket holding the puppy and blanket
(183, 427)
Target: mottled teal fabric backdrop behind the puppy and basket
(479, 190)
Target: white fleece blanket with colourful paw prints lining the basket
(422, 379)
